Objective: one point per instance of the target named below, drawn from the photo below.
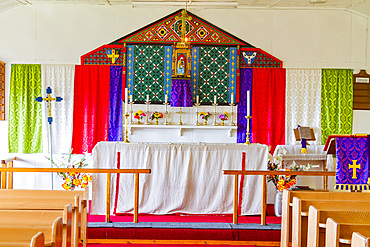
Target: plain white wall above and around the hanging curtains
(61, 34)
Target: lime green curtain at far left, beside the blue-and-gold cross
(25, 130)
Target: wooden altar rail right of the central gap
(263, 173)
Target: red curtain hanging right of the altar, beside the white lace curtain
(268, 108)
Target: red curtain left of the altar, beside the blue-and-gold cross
(91, 107)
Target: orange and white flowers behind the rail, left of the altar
(73, 179)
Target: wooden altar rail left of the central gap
(5, 170)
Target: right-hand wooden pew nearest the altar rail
(286, 220)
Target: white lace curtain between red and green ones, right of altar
(303, 102)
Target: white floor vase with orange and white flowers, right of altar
(282, 182)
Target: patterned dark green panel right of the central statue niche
(213, 76)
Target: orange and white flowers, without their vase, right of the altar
(283, 182)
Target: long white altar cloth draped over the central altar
(185, 178)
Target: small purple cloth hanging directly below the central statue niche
(181, 93)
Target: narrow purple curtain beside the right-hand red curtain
(246, 80)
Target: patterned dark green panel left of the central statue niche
(148, 73)
